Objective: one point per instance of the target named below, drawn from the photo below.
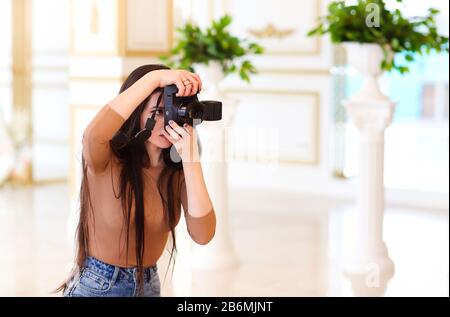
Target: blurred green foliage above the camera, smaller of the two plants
(213, 50)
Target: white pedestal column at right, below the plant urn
(370, 266)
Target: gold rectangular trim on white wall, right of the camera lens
(317, 135)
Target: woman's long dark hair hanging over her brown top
(133, 157)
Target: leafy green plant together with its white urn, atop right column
(372, 35)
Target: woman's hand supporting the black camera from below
(184, 139)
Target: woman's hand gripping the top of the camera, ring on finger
(180, 78)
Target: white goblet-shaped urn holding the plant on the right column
(367, 58)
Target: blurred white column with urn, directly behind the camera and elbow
(219, 253)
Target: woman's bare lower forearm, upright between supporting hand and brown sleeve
(199, 202)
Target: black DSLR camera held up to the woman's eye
(189, 109)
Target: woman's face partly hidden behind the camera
(157, 137)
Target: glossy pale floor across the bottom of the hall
(287, 245)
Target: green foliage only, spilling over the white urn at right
(370, 22)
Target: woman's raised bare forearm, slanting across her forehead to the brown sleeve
(126, 102)
